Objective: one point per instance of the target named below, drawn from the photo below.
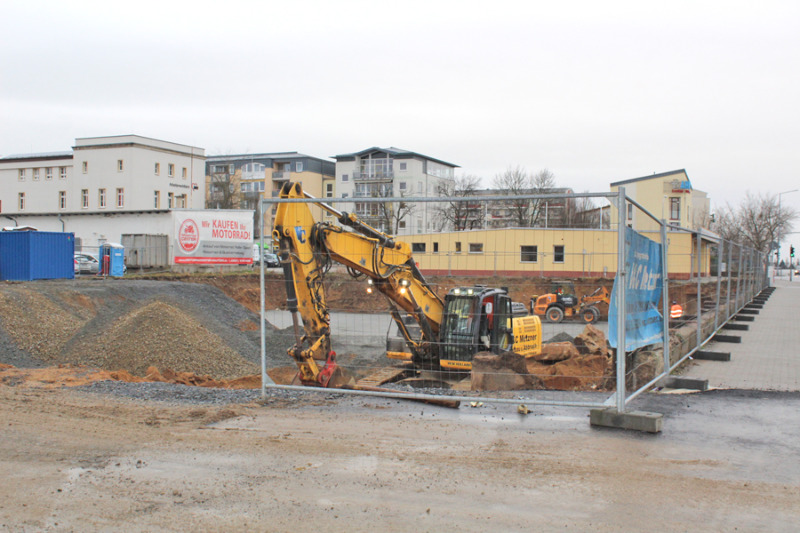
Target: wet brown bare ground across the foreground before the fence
(74, 461)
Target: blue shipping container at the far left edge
(29, 255)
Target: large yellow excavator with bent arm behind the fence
(451, 332)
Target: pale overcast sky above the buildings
(595, 91)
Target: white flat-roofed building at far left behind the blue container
(103, 188)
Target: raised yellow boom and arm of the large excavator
(307, 249)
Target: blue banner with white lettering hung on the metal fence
(643, 324)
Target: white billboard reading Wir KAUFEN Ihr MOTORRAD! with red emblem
(213, 237)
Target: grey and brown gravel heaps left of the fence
(132, 324)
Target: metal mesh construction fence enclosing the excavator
(599, 272)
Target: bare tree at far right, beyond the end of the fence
(757, 222)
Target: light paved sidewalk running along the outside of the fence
(769, 356)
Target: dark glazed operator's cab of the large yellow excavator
(475, 319)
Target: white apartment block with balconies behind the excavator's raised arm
(392, 172)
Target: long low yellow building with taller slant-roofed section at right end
(580, 252)
